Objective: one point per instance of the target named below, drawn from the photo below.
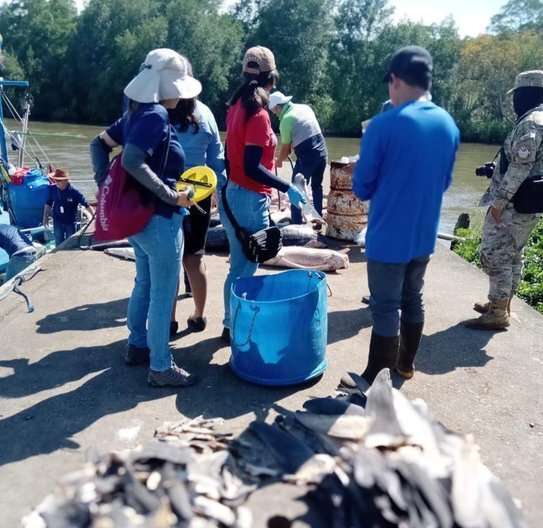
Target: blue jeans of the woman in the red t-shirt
(251, 211)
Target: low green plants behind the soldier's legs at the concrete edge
(531, 286)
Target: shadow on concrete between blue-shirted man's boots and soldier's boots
(455, 347)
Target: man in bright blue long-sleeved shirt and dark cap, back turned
(406, 160)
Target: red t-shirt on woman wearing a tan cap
(257, 131)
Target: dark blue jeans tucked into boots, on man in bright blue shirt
(395, 288)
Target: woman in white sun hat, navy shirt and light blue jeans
(153, 156)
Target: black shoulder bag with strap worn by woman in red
(257, 247)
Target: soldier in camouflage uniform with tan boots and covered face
(506, 231)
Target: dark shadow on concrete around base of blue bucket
(220, 392)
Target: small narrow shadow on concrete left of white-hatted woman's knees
(110, 314)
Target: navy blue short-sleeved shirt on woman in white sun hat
(147, 127)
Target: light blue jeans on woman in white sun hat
(158, 250)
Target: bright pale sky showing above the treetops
(472, 16)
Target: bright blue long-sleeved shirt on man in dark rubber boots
(406, 161)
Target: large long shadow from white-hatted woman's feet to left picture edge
(50, 424)
